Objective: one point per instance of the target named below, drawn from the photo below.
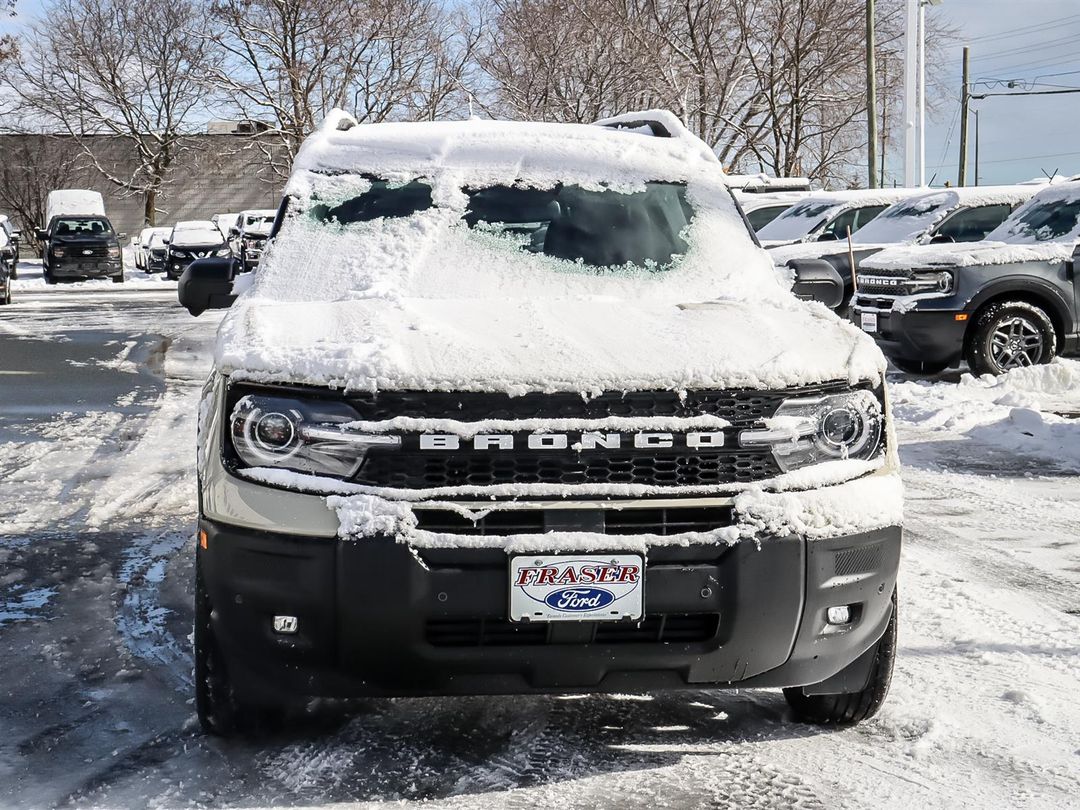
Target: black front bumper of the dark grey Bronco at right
(930, 336)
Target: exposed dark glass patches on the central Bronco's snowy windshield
(595, 228)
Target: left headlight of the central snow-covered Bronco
(303, 436)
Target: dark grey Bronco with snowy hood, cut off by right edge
(1006, 303)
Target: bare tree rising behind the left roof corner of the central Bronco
(288, 63)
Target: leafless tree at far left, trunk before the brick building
(117, 67)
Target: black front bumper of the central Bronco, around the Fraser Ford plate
(380, 618)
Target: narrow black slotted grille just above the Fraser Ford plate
(613, 521)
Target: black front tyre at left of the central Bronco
(220, 709)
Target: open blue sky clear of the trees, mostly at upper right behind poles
(1011, 40)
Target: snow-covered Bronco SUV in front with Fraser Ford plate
(517, 408)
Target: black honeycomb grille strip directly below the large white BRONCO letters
(429, 470)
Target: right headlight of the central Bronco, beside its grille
(812, 430)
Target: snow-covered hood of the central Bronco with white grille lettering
(519, 346)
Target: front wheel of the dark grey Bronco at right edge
(1011, 335)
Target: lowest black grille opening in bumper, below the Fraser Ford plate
(656, 629)
